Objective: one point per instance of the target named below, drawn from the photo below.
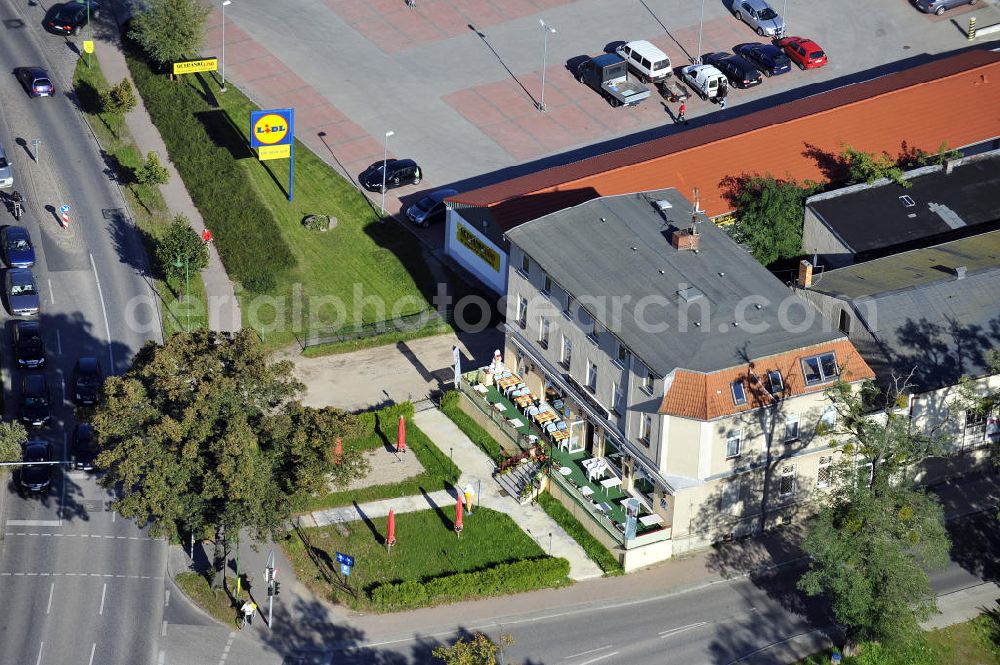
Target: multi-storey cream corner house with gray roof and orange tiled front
(675, 357)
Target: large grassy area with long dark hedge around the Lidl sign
(363, 270)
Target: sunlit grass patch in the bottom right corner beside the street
(975, 642)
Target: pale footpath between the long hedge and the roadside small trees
(223, 306)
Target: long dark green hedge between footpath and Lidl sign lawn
(204, 145)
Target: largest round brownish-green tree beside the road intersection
(185, 438)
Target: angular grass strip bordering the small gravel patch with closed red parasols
(439, 471)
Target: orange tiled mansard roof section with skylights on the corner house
(709, 396)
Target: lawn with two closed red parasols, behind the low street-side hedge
(426, 547)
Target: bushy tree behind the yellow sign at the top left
(169, 30)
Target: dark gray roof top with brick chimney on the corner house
(616, 252)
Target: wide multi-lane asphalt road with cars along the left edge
(78, 584)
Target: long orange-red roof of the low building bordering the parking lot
(920, 107)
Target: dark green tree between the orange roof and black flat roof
(769, 215)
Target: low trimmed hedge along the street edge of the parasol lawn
(516, 577)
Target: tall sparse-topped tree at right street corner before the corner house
(876, 535)
